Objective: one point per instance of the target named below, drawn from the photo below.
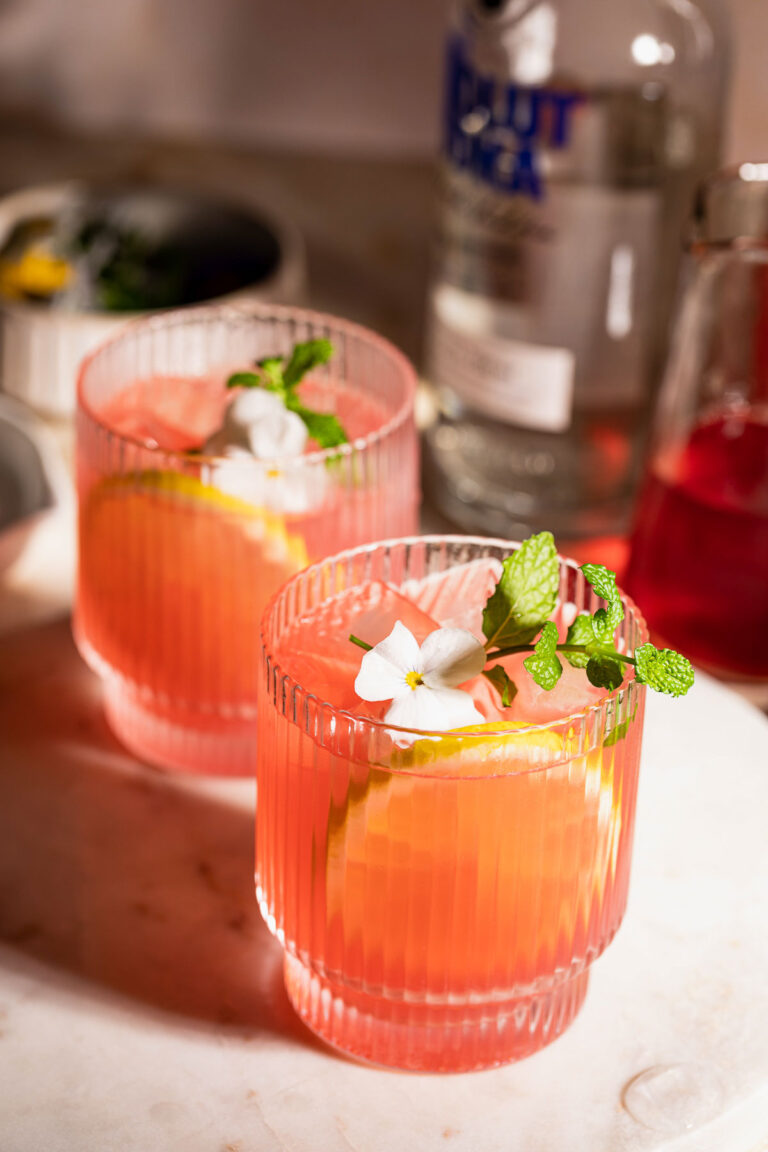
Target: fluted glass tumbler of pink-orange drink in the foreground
(440, 898)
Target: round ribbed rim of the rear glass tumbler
(254, 310)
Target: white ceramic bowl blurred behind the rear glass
(41, 347)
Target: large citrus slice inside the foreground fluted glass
(485, 848)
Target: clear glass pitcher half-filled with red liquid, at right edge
(699, 557)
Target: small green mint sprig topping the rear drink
(282, 375)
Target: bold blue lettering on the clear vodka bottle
(498, 132)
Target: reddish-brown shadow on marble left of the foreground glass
(132, 880)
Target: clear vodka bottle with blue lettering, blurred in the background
(575, 133)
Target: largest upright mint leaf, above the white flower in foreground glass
(526, 596)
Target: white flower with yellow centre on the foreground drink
(422, 683)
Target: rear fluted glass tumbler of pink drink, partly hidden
(180, 551)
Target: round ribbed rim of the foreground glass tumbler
(581, 716)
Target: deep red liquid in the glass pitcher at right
(699, 563)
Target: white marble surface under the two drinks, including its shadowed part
(141, 997)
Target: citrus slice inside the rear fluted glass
(174, 577)
